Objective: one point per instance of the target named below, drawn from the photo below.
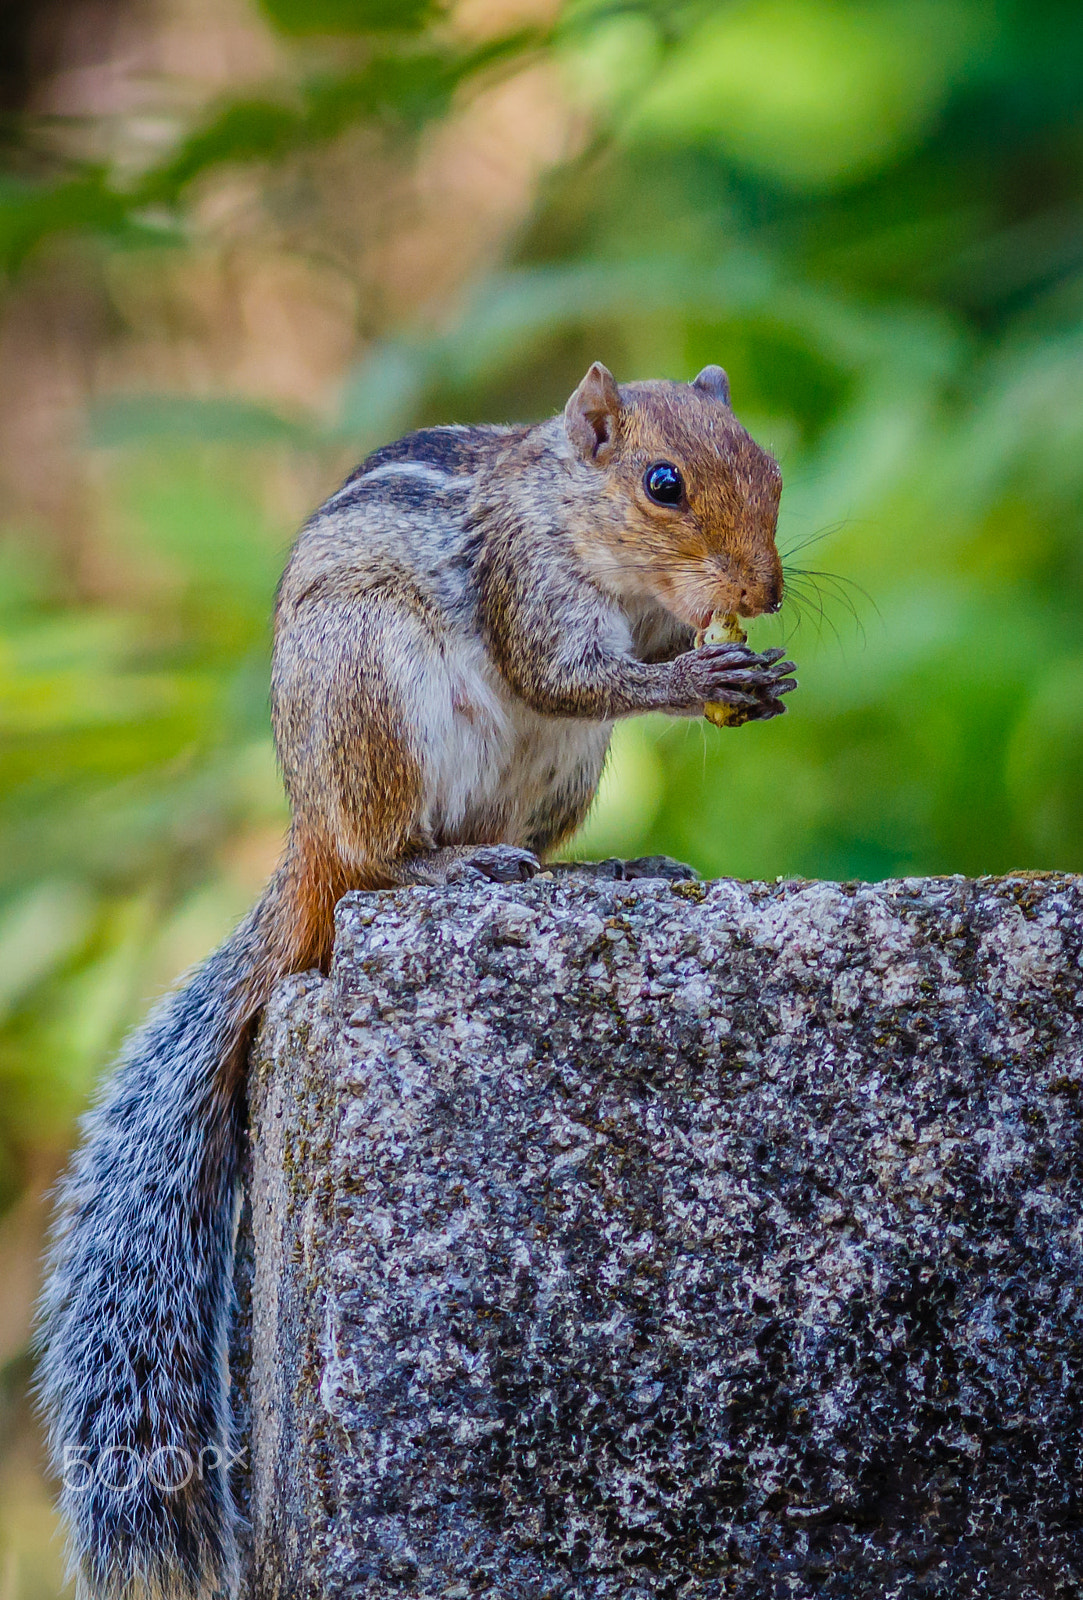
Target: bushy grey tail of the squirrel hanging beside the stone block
(135, 1314)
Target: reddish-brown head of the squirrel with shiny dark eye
(689, 503)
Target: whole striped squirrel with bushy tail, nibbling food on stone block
(457, 631)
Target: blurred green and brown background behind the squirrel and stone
(246, 241)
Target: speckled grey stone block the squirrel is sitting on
(668, 1239)
